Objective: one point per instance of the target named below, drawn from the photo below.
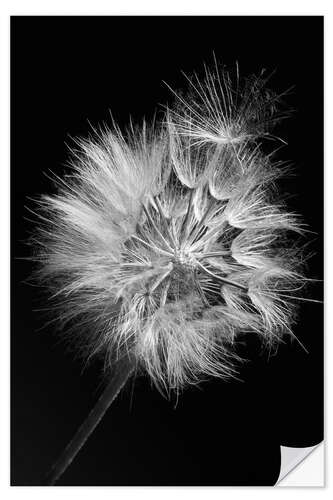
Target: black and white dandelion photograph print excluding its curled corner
(167, 220)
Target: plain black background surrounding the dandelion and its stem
(66, 71)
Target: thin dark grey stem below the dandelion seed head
(123, 370)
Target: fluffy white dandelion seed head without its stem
(168, 242)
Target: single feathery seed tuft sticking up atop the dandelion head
(224, 109)
